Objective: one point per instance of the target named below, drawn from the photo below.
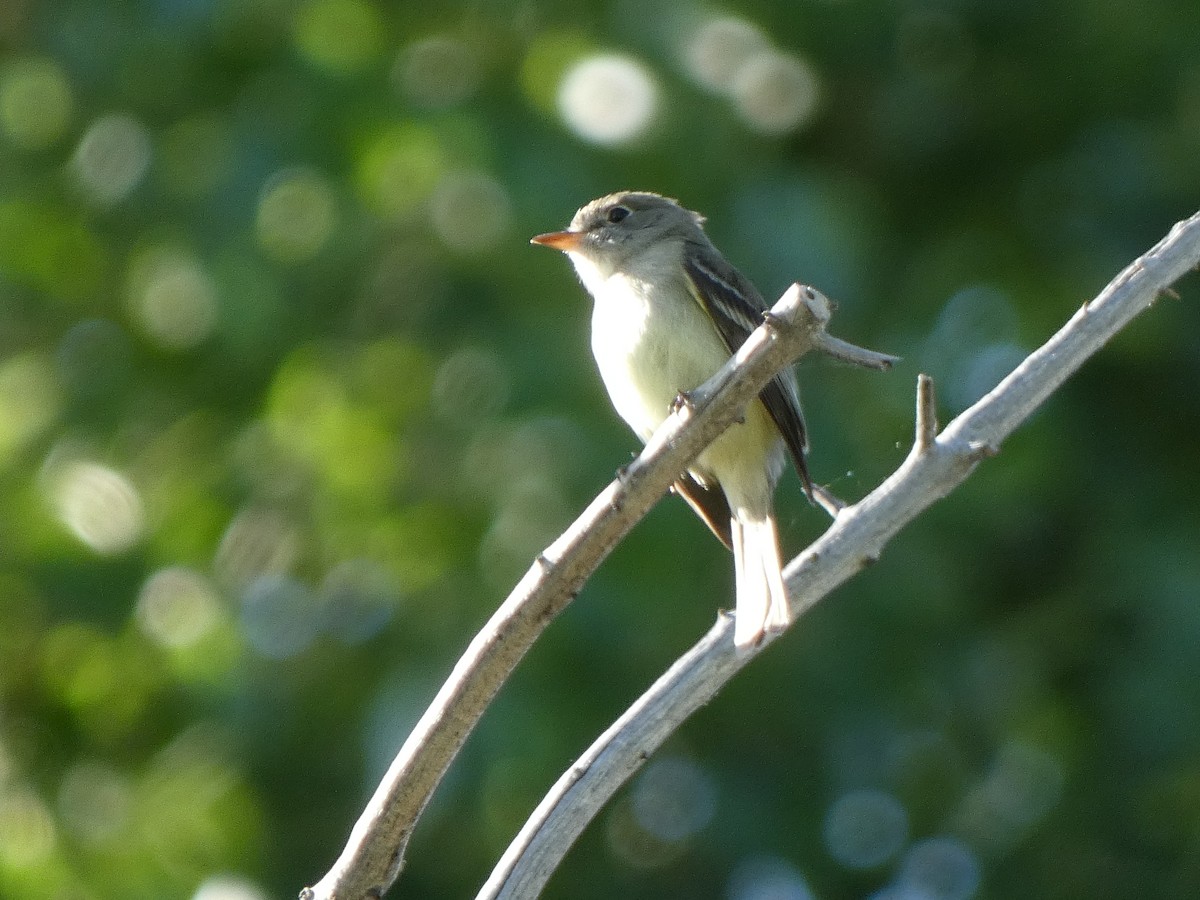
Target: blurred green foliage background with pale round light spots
(287, 404)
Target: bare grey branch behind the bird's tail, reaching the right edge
(934, 467)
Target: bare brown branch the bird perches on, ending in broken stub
(375, 854)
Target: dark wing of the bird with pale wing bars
(737, 309)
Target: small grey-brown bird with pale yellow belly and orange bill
(668, 314)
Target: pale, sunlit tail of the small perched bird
(763, 598)
